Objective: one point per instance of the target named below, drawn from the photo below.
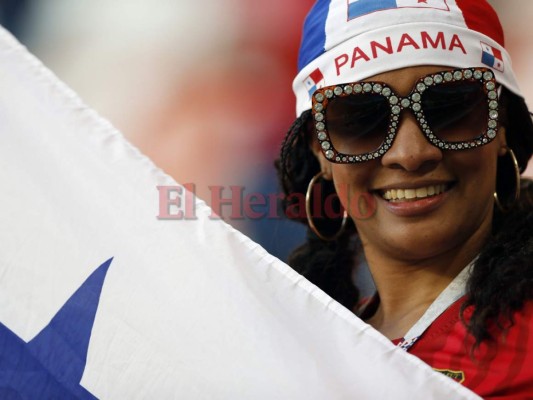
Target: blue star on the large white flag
(51, 365)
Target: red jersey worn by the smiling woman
(499, 369)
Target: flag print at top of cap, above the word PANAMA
(357, 8)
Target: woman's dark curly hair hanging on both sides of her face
(502, 277)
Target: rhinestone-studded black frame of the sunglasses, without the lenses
(322, 96)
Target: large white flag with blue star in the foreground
(101, 299)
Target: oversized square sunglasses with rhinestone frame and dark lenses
(357, 122)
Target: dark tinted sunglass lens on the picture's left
(357, 123)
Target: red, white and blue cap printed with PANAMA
(351, 40)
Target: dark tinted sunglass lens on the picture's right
(456, 111)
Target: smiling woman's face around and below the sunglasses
(428, 225)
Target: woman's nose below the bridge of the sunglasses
(410, 149)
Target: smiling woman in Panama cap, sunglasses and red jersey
(409, 111)
